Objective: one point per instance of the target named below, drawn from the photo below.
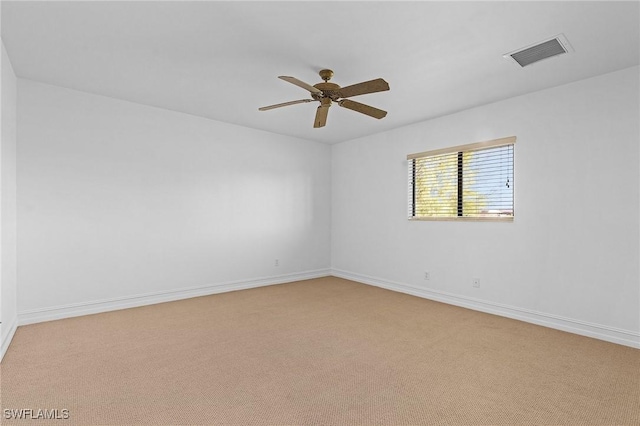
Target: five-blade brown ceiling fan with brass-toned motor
(326, 93)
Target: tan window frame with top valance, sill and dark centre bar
(460, 149)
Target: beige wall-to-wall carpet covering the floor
(325, 351)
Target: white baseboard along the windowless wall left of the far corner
(97, 306)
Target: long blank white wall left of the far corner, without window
(121, 204)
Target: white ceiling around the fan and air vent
(221, 59)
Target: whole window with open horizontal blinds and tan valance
(469, 182)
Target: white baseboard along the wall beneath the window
(597, 331)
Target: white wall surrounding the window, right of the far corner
(570, 259)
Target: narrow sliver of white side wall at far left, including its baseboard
(8, 284)
